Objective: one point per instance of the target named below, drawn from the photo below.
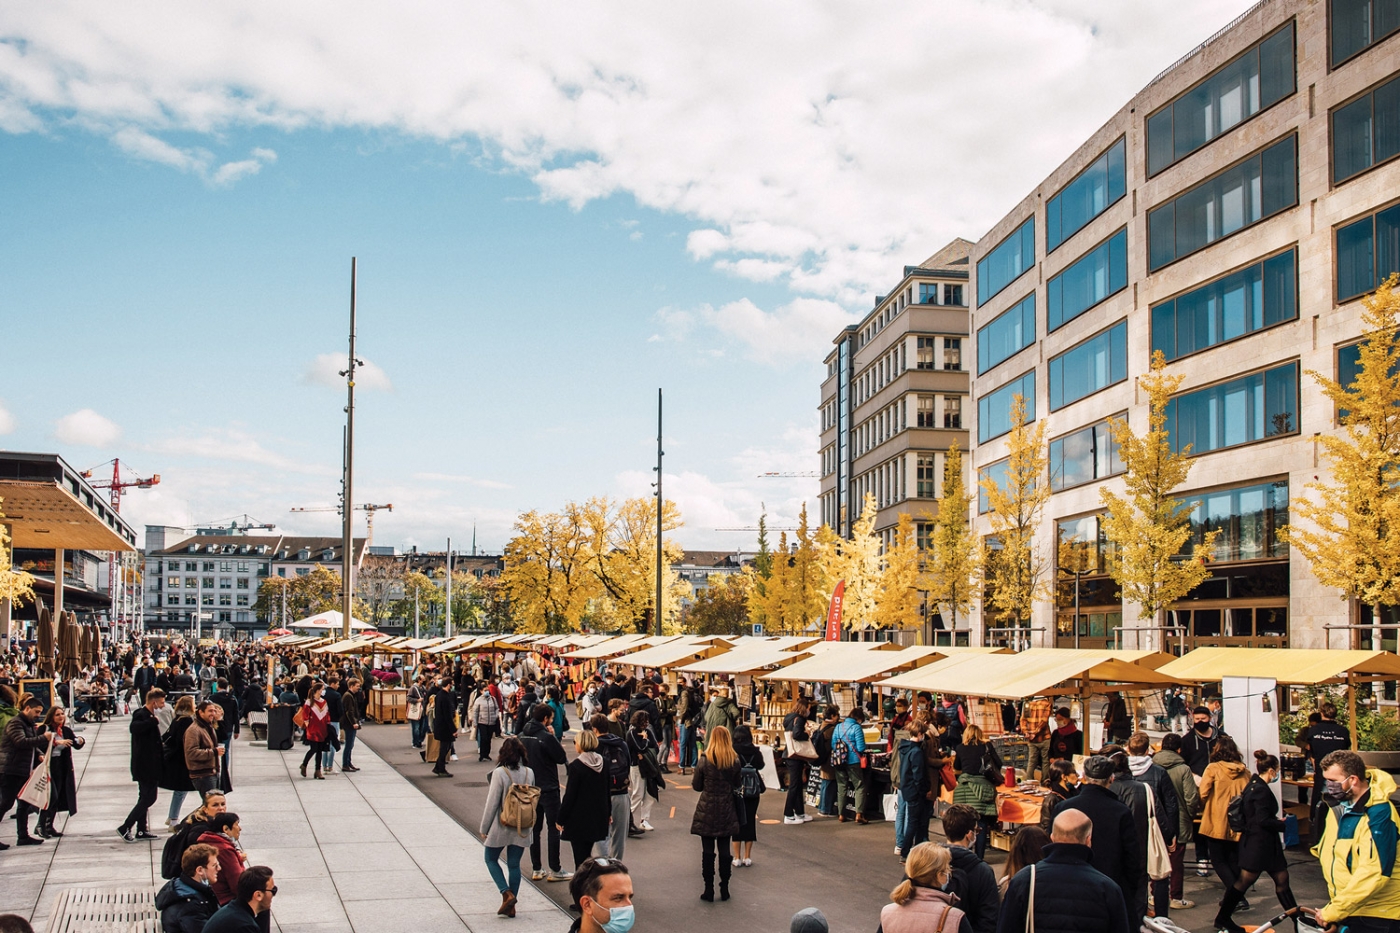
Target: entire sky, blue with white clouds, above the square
(554, 216)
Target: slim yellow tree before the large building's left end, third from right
(1014, 572)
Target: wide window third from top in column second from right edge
(1241, 303)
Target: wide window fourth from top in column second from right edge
(1237, 413)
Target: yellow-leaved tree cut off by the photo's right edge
(1352, 532)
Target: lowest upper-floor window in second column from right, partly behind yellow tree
(1248, 518)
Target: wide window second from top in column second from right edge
(1261, 187)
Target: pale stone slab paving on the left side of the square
(355, 852)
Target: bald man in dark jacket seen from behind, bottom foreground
(1072, 896)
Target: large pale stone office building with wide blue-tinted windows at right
(1233, 216)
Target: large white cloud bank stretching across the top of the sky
(789, 135)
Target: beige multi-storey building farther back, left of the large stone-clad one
(895, 399)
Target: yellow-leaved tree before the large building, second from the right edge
(1150, 527)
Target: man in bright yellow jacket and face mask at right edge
(1359, 848)
